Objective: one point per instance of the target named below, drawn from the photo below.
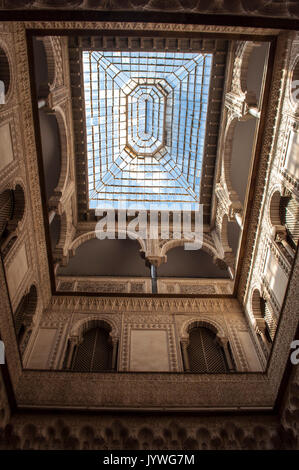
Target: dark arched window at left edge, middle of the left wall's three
(12, 207)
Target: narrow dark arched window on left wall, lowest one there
(24, 315)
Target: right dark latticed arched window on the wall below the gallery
(204, 352)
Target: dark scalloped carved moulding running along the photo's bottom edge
(143, 431)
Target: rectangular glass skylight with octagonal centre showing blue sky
(145, 123)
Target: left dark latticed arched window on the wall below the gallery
(94, 353)
